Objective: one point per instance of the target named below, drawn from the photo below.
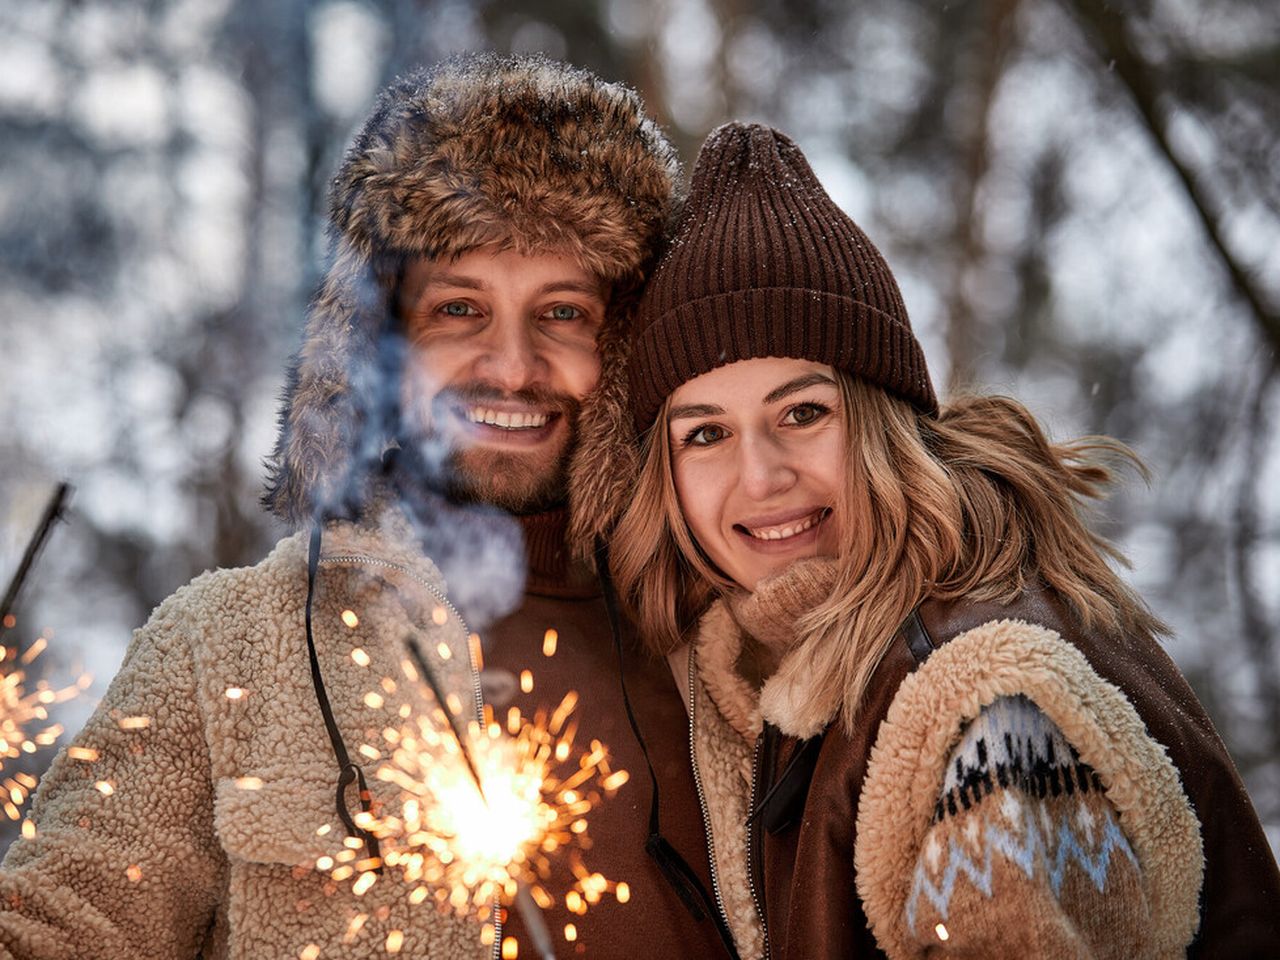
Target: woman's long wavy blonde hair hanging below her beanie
(975, 504)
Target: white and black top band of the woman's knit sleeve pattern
(1012, 744)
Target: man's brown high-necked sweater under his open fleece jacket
(566, 598)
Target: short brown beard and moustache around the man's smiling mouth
(518, 482)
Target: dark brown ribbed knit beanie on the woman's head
(764, 264)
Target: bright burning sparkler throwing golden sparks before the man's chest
(482, 808)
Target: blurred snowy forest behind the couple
(1080, 199)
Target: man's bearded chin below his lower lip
(516, 482)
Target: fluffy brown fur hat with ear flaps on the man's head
(522, 153)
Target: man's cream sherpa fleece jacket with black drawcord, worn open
(196, 829)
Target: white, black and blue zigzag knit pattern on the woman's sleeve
(1014, 751)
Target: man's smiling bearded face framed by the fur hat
(502, 349)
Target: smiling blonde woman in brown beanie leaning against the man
(921, 702)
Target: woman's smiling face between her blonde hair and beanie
(758, 455)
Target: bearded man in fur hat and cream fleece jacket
(490, 227)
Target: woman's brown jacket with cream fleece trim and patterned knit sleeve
(886, 812)
